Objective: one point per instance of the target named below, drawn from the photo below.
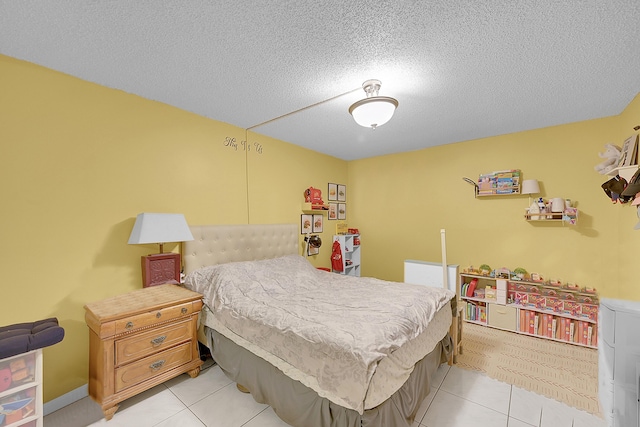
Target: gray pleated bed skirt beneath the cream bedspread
(300, 406)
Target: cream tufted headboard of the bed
(218, 244)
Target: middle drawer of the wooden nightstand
(144, 344)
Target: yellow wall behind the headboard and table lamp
(80, 161)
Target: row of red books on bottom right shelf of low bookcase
(556, 327)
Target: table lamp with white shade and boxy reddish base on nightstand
(160, 228)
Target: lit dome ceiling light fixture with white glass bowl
(374, 110)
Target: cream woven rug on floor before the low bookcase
(563, 372)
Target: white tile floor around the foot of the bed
(459, 398)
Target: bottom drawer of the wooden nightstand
(152, 366)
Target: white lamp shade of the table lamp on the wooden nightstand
(160, 228)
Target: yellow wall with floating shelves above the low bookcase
(400, 202)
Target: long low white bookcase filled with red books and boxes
(535, 308)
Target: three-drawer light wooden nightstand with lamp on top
(139, 340)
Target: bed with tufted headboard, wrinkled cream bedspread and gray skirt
(322, 349)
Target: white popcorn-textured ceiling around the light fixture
(460, 69)
